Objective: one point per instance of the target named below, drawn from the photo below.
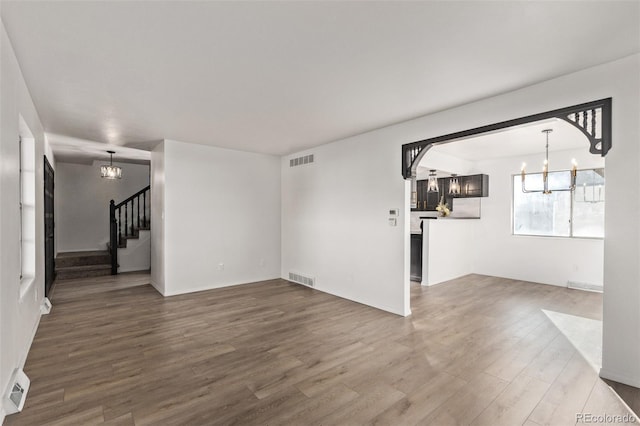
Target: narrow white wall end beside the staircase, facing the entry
(157, 210)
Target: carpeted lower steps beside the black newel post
(82, 264)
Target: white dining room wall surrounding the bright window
(547, 260)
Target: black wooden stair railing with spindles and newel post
(130, 228)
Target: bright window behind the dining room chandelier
(562, 213)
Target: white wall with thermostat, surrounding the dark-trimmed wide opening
(334, 212)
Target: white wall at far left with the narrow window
(19, 316)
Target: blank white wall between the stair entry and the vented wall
(221, 217)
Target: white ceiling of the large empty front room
(277, 77)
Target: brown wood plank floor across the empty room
(477, 350)
